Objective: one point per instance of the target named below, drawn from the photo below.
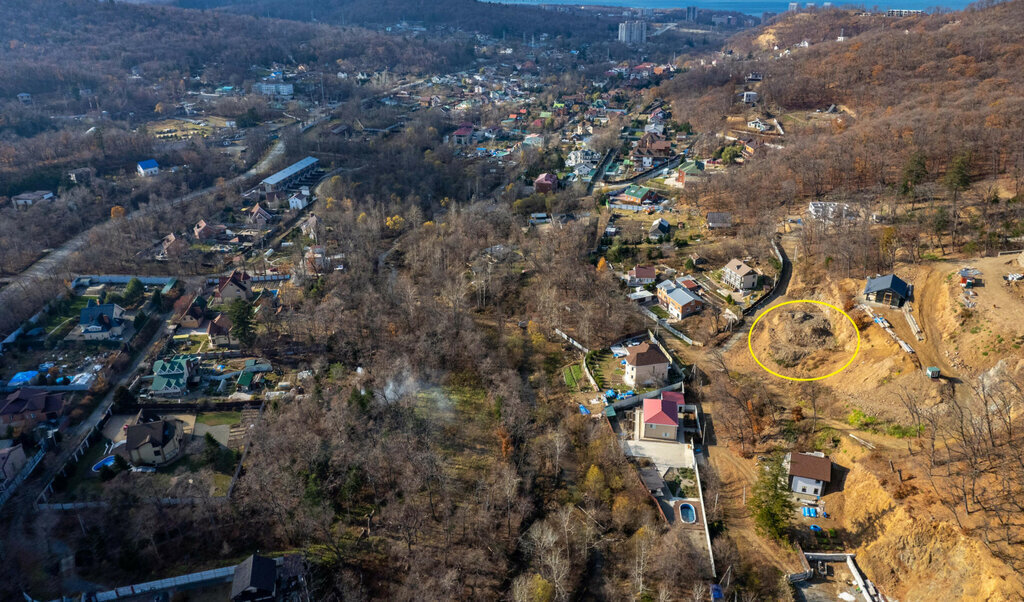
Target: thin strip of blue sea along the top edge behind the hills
(754, 8)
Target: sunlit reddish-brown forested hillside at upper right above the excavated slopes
(928, 106)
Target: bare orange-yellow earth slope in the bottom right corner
(915, 558)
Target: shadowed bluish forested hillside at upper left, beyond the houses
(87, 45)
